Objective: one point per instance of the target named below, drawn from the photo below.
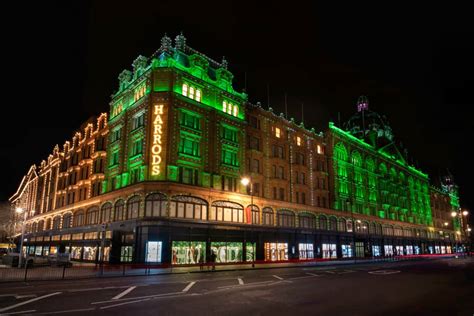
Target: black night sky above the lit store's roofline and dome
(415, 63)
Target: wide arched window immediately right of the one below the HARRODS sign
(183, 206)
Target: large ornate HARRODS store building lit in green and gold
(158, 179)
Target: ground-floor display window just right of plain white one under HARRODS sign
(188, 252)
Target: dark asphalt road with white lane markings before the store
(436, 287)
